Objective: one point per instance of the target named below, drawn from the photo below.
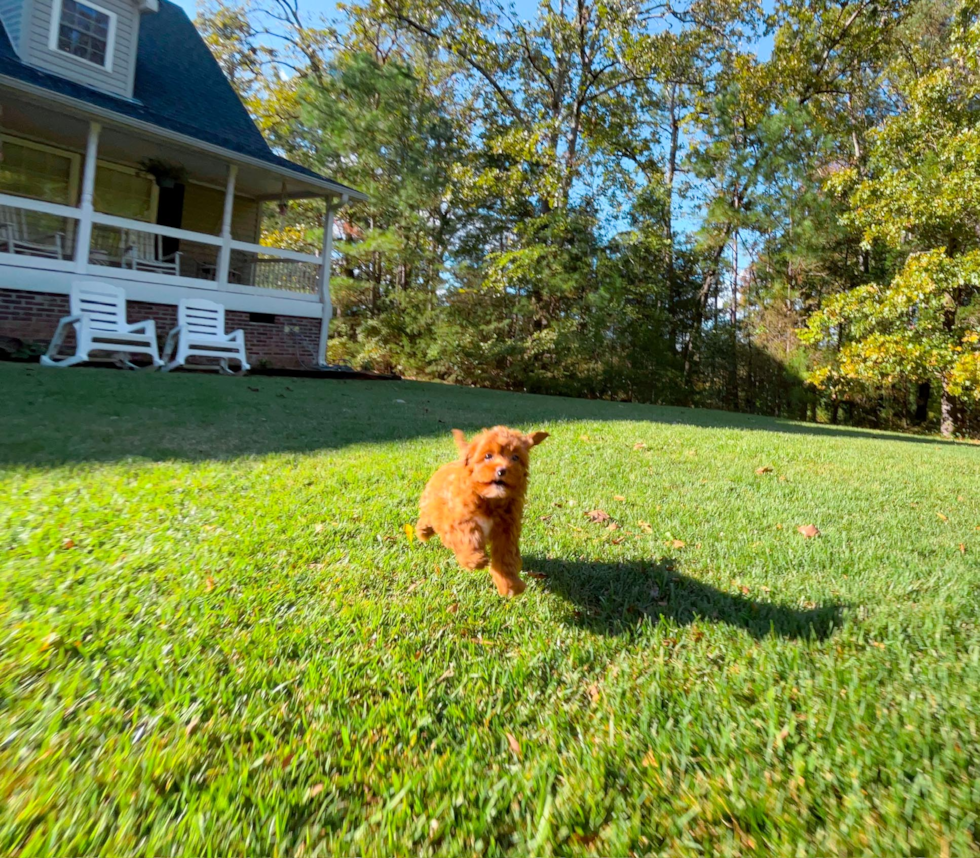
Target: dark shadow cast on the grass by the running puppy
(615, 598)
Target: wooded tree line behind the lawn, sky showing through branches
(622, 200)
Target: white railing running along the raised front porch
(147, 252)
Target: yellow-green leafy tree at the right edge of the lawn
(920, 199)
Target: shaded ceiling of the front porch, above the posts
(23, 117)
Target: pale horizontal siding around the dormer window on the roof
(117, 81)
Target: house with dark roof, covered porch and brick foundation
(128, 158)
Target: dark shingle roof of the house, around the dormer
(179, 87)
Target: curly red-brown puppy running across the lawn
(479, 499)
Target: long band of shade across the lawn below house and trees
(53, 416)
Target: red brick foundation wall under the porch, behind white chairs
(33, 316)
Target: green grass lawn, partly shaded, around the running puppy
(217, 639)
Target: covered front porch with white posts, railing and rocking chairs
(161, 216)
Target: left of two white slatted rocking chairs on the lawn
(98, 315)
